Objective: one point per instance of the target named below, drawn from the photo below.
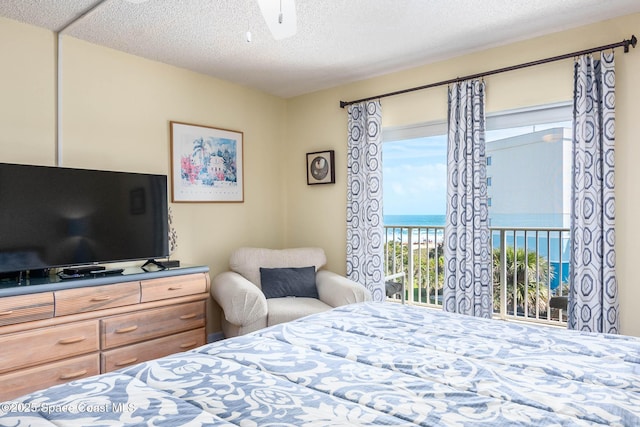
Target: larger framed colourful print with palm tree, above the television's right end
(206, 164)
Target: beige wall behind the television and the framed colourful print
(116, 110)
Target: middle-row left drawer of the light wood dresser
(47, 344)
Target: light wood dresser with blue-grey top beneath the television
(57, 331)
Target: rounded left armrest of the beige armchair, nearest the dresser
(242, 302)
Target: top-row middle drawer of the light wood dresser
(70, 301)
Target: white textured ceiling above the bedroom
(338, 41)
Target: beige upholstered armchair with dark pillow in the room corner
(241, 294)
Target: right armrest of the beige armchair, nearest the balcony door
(337, 290)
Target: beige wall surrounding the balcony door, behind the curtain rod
(315, 122)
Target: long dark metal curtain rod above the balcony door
(624, 43)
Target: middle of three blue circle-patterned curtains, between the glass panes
(468, 288)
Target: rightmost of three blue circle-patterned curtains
(593, 297)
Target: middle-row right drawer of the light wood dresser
(147, 324)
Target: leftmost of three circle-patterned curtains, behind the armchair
(365, 227)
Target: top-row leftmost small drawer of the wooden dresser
(25, 308)
